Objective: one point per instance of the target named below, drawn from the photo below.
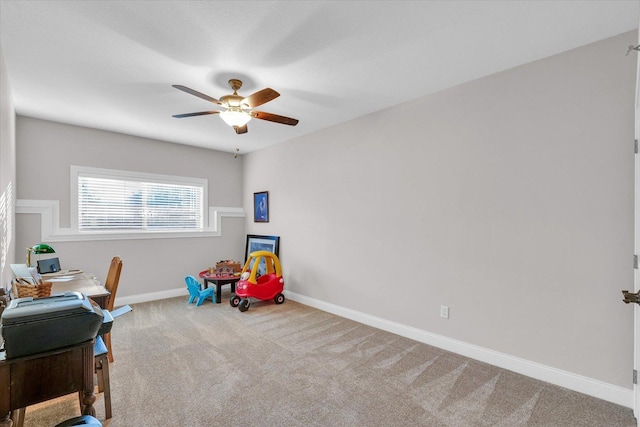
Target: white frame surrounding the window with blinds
(76, 171)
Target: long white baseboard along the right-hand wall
(569, 380)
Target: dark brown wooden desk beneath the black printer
(32, 379)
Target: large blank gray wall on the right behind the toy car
(508, 199)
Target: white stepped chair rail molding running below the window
(50, 230)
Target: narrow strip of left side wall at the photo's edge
(7, 177)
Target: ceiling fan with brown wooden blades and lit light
(238, 110)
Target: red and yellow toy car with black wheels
(261, 278)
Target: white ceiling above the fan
(110, 64)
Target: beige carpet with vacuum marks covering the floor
(292, 365)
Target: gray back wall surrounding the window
(45, 152)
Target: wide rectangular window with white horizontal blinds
(112, 200)
